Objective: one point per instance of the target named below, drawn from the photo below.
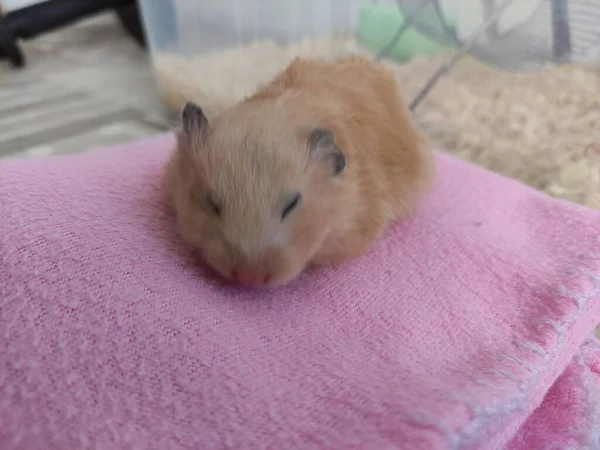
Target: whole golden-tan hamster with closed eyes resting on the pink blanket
(308, 170)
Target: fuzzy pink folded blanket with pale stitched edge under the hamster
(466, 327)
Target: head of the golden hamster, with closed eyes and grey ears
(257, 191)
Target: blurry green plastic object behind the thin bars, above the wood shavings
(377, 25)
